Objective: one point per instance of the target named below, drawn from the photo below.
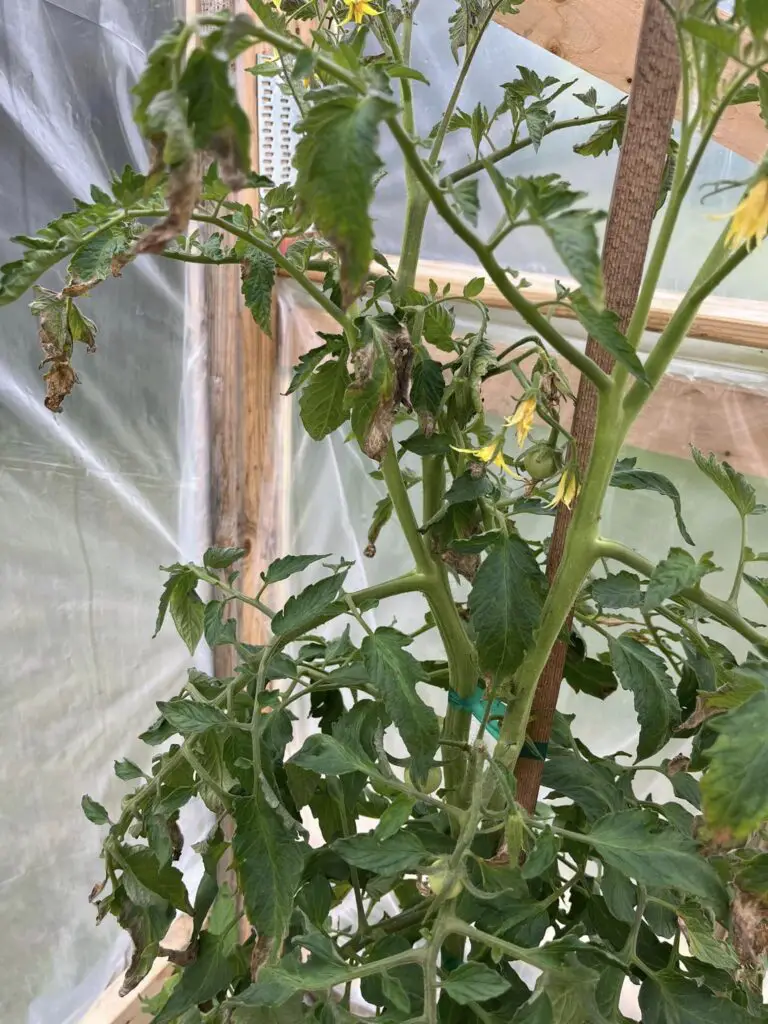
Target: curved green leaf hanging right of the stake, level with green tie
(645, 674)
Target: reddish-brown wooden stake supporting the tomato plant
(655, 88)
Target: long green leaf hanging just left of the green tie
(396, 673)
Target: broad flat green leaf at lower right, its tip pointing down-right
(636, 844)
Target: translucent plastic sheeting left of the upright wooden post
(92, 502)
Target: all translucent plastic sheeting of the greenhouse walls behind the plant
(94, 501)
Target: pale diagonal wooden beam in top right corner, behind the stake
(601, 37)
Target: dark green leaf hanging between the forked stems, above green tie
(505, 606)
